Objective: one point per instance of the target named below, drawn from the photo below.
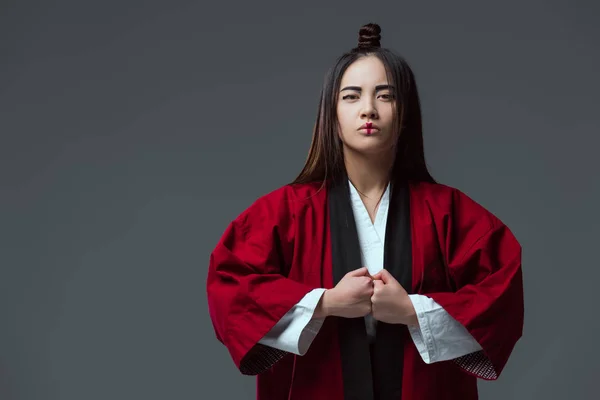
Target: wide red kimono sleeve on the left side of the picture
(247, 290)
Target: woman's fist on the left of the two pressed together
(350, 298)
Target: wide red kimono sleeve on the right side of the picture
(483, 258)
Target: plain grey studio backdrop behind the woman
(132, 132)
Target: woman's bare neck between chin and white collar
(370, 174)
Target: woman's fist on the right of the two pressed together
(390, 302)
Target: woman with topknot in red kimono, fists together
(364, 278)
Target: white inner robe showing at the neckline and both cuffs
(438, 337)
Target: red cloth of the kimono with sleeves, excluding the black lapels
(278, 250)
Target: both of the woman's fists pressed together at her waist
(358, 294)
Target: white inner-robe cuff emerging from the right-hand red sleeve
(438, 336)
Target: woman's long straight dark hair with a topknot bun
(325, 158)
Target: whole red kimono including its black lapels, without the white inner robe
(440, 243)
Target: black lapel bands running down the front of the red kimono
(371, 372)
